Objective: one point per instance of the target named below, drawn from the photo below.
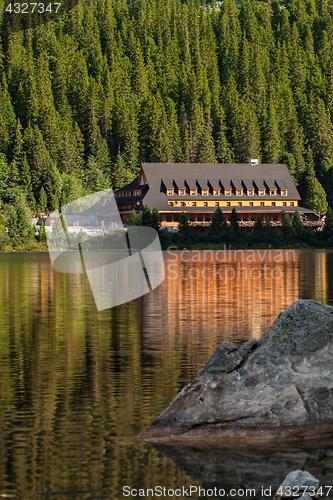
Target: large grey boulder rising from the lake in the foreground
(277, 387)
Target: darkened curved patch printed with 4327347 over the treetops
(21, 15)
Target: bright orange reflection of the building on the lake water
(212, 297)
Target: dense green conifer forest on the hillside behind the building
(86, 98)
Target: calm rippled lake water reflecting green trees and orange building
(78, 385)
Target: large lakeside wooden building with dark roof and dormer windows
(198, 189)
